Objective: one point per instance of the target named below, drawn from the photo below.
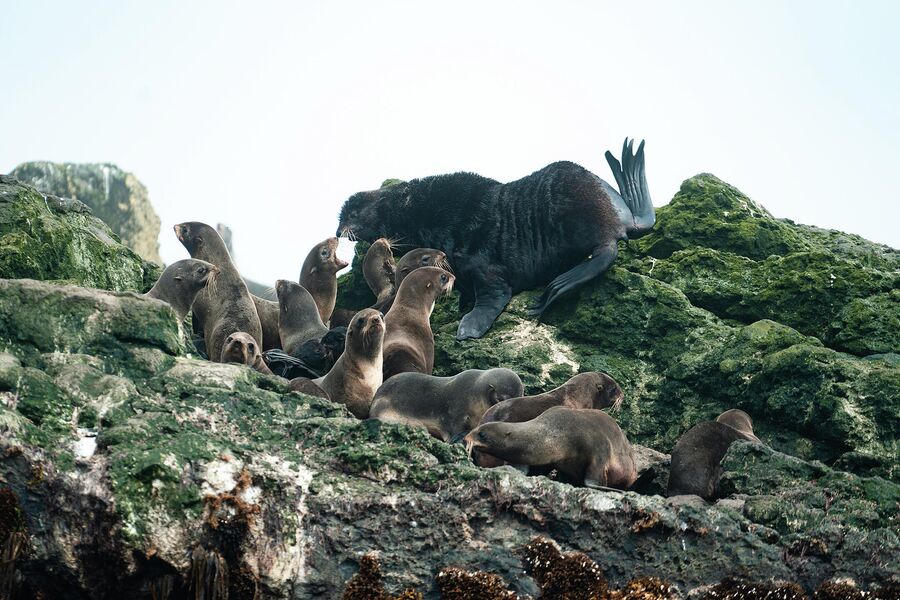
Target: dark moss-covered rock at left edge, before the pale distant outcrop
(44, 237)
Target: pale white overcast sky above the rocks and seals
(266, 116)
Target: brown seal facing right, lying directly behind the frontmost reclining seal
(585, 390)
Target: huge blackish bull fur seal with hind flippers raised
(506, 238)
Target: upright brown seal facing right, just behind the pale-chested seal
(409, 341)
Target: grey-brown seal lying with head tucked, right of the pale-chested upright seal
(446, 406)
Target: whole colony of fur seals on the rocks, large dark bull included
(502, 238)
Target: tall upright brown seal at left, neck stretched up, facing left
(227, 307)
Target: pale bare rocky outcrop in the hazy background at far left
(115, 196)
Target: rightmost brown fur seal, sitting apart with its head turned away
(695, 467)
